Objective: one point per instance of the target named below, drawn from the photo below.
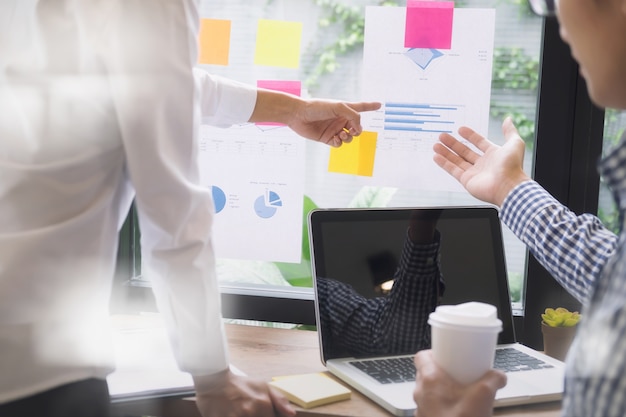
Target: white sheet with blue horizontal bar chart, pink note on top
(424, 91)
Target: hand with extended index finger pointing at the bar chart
(330, 122)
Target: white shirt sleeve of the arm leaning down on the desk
(151, 54)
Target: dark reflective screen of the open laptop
(373, 294)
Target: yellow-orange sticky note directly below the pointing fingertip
(356, 157)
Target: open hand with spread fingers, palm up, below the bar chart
(490, 174)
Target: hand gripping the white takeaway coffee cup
(437, 394)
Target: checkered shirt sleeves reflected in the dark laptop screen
(395, 324)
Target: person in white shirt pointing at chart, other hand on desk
(98, 106)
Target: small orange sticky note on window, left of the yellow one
(214, 41)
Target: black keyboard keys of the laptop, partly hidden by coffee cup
(402, 369)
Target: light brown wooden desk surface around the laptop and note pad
(265, 352)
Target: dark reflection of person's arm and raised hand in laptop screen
(387, 322)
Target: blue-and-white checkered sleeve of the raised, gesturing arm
(573, 248)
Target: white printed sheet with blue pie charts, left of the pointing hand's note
(256, 176)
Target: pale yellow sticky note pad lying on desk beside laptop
(311, 390)
